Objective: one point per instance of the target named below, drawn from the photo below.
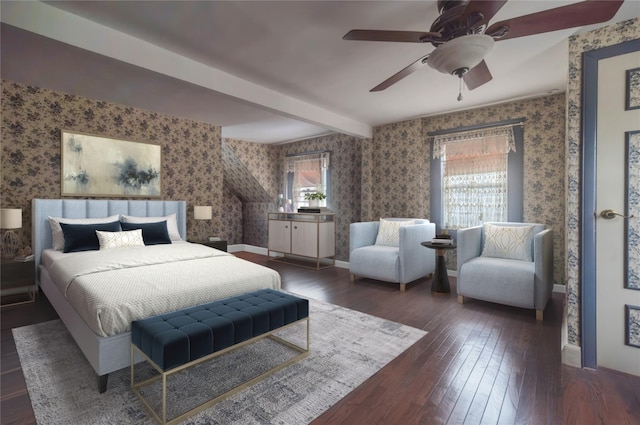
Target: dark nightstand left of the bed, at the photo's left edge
(17, 282)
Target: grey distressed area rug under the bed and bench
(347, 347)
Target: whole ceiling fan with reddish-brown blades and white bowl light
(463, 37)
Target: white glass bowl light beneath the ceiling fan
(460, 53)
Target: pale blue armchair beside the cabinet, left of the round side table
(390, 250)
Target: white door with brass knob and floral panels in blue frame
(617, 137)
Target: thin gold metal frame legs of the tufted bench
(163, 375)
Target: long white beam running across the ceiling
(74, 30)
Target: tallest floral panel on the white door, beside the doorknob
(632, 209)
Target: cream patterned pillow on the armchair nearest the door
(511, 242)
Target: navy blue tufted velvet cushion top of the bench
(180, 337)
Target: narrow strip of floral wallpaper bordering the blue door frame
(578, 44)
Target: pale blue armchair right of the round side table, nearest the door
(506, 263)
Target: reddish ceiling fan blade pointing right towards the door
(574, 15)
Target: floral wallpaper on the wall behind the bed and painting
(32, 120)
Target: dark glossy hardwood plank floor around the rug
(480, 363)
